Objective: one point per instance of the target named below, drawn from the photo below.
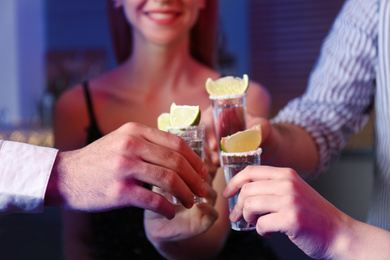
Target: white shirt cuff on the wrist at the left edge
(24, 174)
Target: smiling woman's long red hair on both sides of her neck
(203, 38)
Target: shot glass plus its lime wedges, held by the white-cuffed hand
(183, 121)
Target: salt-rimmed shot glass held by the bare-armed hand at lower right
(232, 164)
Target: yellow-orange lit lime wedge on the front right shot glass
(243, 141)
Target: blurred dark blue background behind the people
(47, 46)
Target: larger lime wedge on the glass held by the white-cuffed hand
(184, 115)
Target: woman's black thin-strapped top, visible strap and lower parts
(120, 234)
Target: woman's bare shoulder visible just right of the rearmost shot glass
(258, 99)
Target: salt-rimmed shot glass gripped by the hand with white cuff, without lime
(194, 137)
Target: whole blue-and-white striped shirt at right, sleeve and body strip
(352, 71)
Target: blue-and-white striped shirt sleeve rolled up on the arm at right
(341, 87)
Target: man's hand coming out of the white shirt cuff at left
(110, 172)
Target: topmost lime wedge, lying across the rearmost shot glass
(227, 85)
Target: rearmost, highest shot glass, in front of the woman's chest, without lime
(229, 114)
